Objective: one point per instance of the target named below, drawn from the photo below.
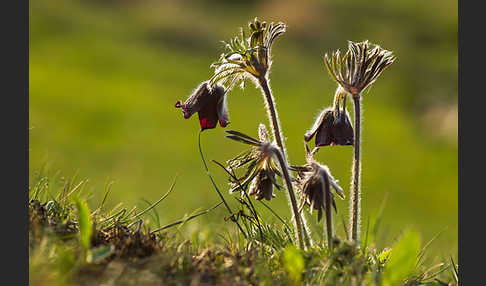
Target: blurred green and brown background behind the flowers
(104, 77)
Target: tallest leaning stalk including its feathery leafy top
(249, 57)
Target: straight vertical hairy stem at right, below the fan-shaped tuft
(355, 202)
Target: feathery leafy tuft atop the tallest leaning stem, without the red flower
(247, 56)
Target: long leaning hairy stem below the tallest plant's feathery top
(277, 133)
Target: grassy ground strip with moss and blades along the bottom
(69, 244)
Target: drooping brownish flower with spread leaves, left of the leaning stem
(260, 165)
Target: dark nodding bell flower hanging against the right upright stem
(333, 126)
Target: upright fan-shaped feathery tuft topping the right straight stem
(359, 67)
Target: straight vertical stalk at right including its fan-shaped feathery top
(355, 71)
